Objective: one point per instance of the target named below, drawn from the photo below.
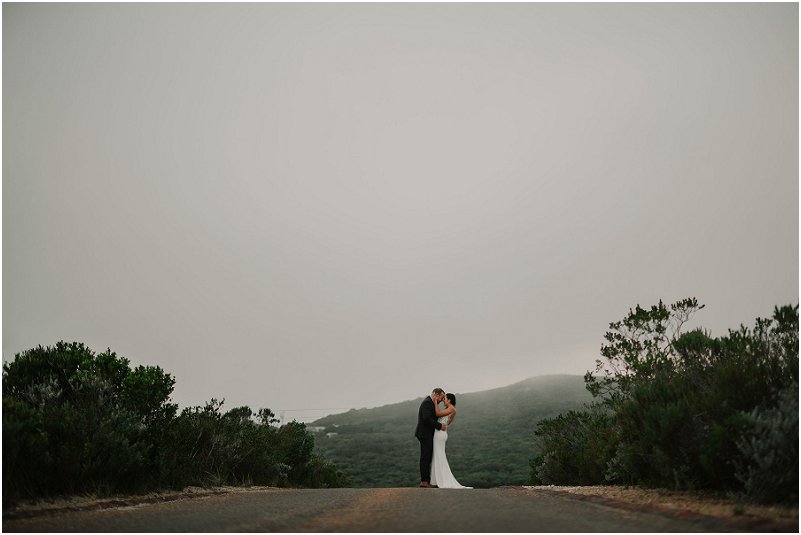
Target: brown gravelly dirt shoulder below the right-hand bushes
(686, 504)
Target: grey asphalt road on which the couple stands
(505, 509)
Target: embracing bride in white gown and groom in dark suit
(432, 432)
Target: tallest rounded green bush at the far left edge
(67, 405)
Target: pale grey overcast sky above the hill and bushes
(320, 206)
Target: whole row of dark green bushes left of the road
(79, 422)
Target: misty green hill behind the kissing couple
(489, 444)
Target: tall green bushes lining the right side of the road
(684, 410)
